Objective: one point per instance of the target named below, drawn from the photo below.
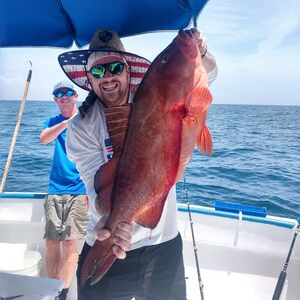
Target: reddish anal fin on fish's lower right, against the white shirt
(150, 217)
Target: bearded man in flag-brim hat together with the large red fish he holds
(131, 143)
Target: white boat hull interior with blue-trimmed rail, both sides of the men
(240, 256)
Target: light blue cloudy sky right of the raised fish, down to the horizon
(256, 45)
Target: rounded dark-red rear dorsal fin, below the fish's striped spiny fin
(103, 182)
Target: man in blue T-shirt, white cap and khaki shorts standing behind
(65, 206)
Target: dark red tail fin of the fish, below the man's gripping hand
(98, 261)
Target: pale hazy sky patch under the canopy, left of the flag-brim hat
(45, 73)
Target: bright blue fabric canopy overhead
(59, 23)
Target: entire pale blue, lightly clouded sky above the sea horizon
(256, 44)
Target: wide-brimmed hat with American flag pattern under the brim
(76, 63)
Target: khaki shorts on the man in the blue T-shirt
(66, 217)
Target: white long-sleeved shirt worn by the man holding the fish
(87, 145)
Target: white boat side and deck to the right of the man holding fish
(239, 259)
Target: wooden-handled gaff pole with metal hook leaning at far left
(13, 143)
